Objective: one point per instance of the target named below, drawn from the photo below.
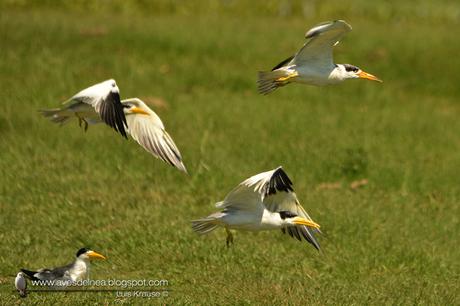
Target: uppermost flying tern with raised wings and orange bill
(313, 63)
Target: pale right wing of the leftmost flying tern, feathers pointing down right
(149, 132)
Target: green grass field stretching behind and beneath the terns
(393, 241)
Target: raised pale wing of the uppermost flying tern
(318, 50)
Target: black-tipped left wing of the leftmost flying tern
(105, 99)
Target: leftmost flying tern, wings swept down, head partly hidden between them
(101, 103)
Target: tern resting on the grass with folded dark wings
(72, 272)
